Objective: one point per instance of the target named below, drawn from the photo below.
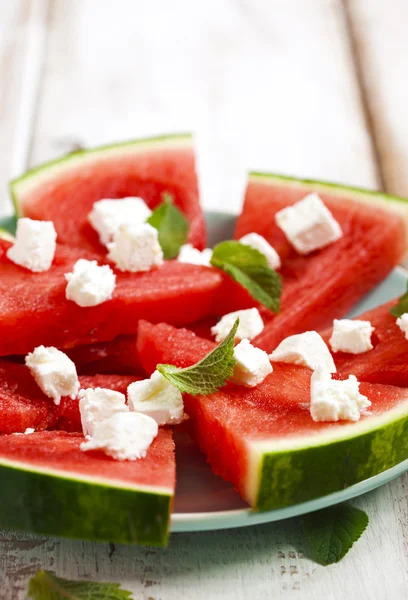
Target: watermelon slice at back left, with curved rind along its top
(64, 190)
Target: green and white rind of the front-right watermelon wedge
(304, 471)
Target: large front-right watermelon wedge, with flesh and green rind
(264, 439)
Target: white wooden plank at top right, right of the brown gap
(379, 30)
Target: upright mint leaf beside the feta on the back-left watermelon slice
(172, 226)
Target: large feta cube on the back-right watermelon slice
(308, 224)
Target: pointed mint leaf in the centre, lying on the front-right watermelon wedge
(208, 375)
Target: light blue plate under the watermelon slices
(205, 501)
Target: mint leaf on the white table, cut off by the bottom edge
(47, 586)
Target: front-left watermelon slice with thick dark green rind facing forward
(50, 486)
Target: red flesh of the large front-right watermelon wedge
(233, 424)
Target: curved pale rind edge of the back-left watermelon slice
(51, 169)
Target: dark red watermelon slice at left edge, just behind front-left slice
(22, 403)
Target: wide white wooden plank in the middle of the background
(255, 96)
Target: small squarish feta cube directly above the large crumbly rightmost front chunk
(352, 336)
